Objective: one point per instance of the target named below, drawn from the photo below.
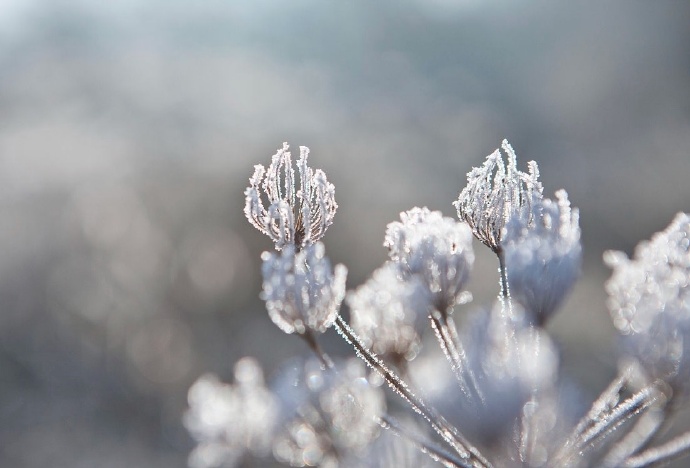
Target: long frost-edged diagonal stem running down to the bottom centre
(449, 433)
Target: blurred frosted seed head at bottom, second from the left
(332, 411)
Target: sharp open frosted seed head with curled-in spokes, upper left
(293, 217)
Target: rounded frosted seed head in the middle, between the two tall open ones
(437, 249)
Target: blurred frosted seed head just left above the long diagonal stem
(388, 313)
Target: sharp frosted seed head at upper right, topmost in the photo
(495, 193)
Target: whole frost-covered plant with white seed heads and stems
(504, 403)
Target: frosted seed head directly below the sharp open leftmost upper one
(300, 289)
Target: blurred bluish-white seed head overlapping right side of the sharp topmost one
(543, 254)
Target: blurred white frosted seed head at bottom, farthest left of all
(228, 419)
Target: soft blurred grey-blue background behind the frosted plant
(128, 131)
